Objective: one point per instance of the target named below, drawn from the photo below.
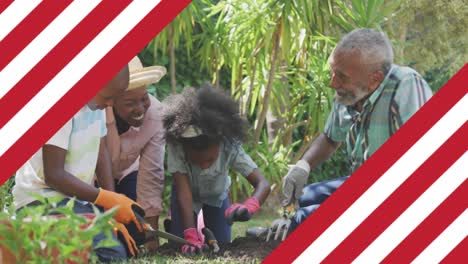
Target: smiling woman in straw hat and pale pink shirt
(136, 143)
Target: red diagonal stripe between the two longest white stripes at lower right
(401, 199)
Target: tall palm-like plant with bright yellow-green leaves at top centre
(260, 35)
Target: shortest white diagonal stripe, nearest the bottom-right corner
(445, 242)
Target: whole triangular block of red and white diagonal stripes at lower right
(408, 202)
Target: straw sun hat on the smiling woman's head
(143, 76)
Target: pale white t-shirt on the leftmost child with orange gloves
(80, 137)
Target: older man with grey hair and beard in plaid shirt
(373, 99)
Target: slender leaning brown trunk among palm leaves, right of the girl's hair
(271, 77)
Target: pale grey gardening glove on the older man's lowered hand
(294, 182)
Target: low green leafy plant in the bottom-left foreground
(34, 236)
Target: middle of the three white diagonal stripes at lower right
(416, 213)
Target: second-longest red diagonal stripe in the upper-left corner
(59, 57)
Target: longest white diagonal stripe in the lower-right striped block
(386, 184)
